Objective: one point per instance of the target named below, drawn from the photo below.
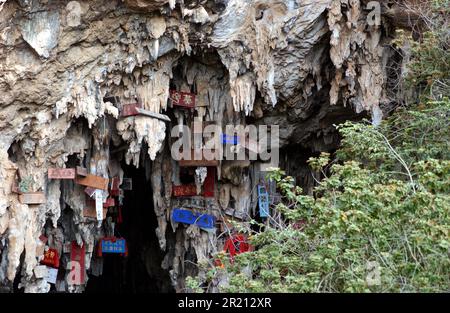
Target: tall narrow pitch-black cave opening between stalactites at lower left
(140, 271)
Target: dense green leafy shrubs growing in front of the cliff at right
(379, 221)
